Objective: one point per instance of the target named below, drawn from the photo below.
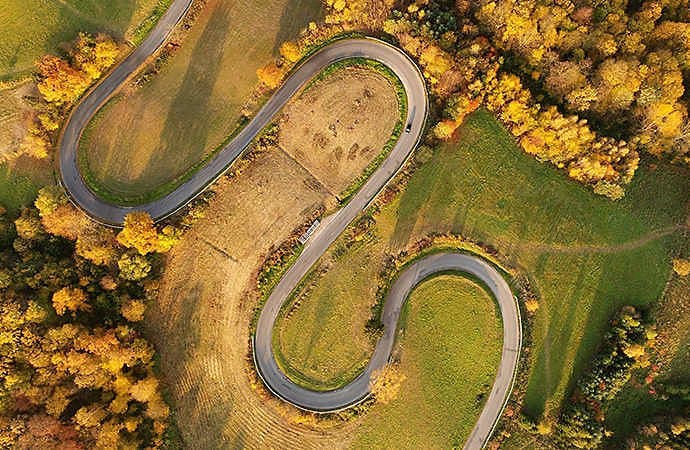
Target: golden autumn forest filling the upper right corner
(586, 85)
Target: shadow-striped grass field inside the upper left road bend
(152, 136)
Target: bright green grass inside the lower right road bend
(451, 348)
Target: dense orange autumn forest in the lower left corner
(75, 369)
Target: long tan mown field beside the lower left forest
(201, 320)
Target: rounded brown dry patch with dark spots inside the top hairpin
(333, 139)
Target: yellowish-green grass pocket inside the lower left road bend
(321, 344)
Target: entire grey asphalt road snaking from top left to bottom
(330, 228)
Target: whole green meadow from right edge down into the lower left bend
(586, 255)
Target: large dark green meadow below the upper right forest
(580, 249)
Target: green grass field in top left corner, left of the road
(32, 28)
